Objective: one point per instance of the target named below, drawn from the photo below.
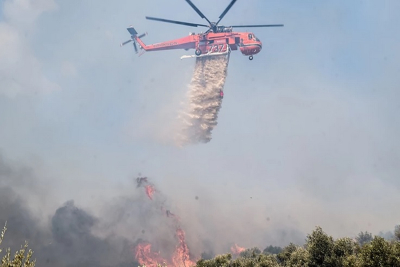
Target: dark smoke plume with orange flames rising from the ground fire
(143, 225)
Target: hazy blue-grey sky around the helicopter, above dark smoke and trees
(307, 134)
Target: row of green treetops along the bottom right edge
(319, 250)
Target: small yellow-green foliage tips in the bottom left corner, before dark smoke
(21, 257)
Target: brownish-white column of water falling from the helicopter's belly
(201, 112)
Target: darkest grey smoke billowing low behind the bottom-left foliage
(67, 240)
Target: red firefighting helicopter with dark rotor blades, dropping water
(217, 40)
